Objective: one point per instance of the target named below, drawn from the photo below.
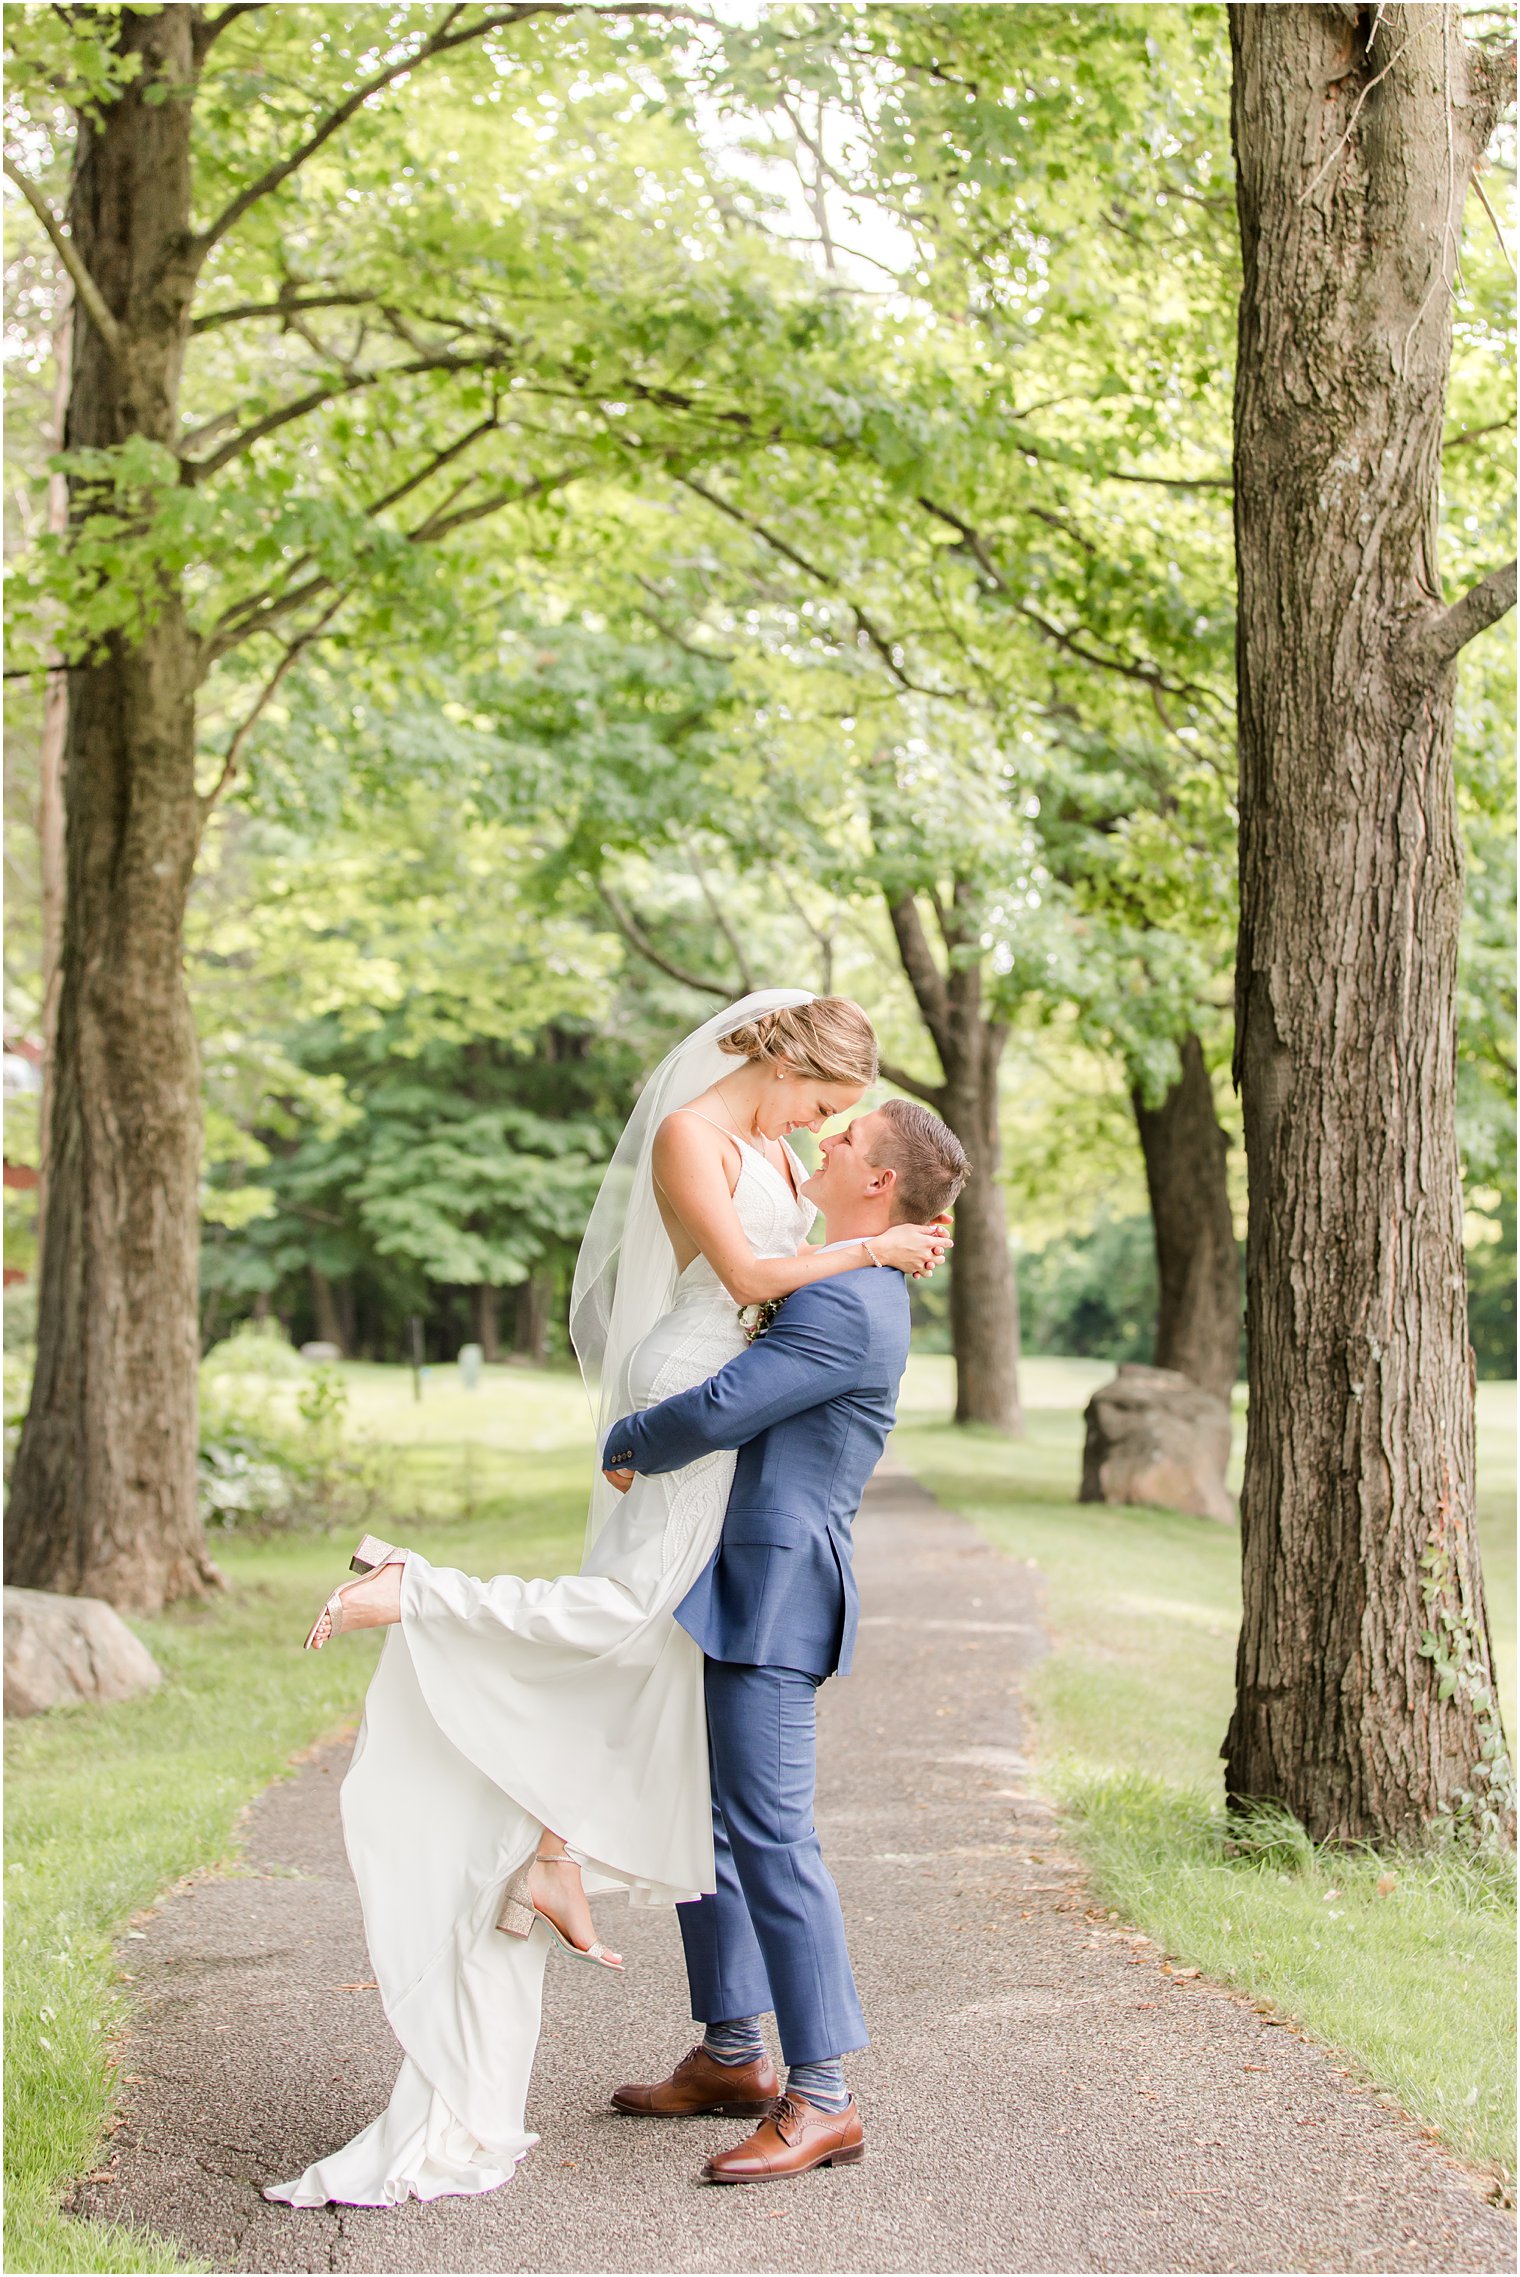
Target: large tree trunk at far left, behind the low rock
(104, 1497)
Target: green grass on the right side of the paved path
(1414, 1984)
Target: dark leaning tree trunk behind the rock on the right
(1198, 1324)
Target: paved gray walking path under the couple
(1039, 2096)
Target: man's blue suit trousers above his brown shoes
(773, 1934)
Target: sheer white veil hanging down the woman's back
(627, 1267)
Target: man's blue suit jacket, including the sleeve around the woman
(809, 1408)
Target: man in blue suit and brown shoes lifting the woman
(809, 1408)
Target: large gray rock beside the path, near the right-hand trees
(1157, 1438)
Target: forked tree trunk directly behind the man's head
(970, 1046)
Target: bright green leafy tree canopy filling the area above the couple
(722, 477)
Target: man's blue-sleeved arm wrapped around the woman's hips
(813, 1349)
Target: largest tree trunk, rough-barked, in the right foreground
(1355, 135)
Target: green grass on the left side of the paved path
(113, 1807)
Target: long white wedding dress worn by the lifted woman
(504, 1707)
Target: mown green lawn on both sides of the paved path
(108, 1809)
